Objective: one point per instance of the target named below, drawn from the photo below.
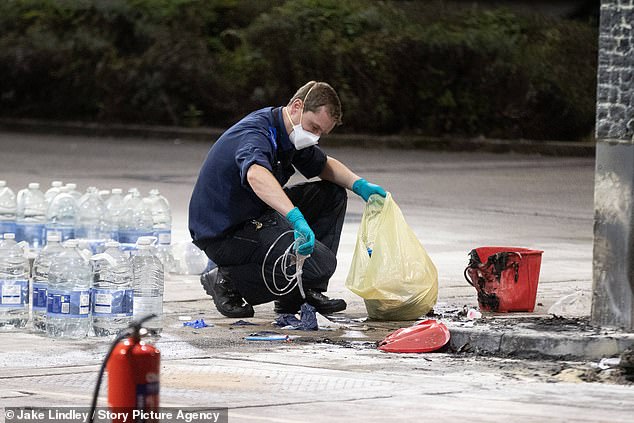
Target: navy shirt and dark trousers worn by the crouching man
(235, 228)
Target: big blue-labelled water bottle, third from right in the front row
(68, 296)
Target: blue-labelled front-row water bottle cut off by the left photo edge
(14, 284)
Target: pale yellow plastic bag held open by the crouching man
(390, 268)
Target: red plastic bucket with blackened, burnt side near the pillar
(505, 278)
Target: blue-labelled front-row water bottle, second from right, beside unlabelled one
(112, 294)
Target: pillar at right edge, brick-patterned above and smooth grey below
(613, 267)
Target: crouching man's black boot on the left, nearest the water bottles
(227, 300)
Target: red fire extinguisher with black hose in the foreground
(133, 369)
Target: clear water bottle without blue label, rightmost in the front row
(148, 285)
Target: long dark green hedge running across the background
(400, 67)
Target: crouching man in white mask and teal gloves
(240, 209)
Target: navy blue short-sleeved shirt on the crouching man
(222, 198)
